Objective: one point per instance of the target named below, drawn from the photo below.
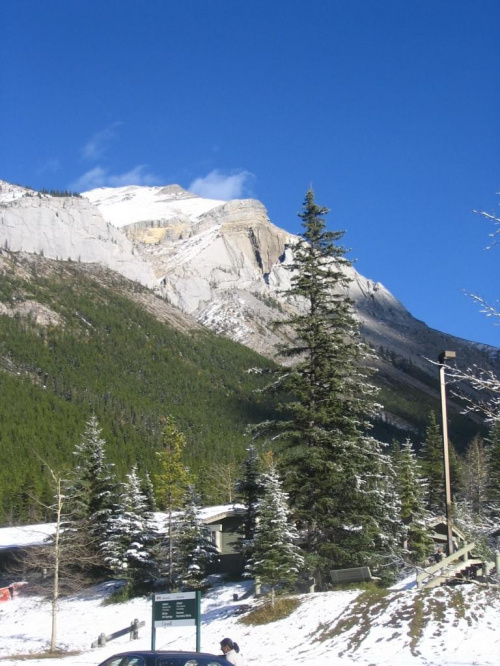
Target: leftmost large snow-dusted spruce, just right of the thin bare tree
(90, 494)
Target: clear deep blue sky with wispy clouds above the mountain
(388, 108)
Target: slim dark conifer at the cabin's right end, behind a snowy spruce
(249, 489)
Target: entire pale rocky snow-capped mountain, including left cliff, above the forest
(222, 262)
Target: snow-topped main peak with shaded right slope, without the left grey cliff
(225, 263)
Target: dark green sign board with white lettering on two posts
(180, 609)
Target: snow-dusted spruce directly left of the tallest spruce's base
(276, 559)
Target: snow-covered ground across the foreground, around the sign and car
(405, 627)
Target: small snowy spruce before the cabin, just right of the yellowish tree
(195, 550)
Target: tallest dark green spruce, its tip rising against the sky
(332, 467)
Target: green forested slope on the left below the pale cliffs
(77, 340)
